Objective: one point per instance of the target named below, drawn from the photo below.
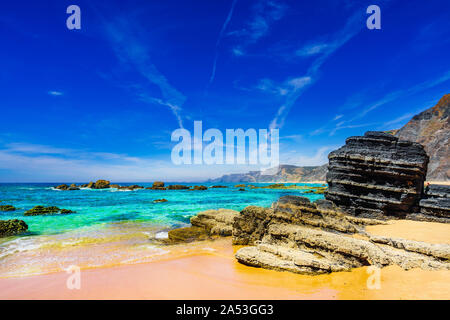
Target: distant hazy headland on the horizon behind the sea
(282, 173)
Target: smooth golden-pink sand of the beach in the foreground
(209, 271)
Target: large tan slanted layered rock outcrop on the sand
(311, 238)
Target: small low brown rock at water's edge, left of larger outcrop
(205, 225)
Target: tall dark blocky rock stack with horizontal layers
(377, 175)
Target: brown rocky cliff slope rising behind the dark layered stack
(431, 128)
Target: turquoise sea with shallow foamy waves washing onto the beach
(110, 226)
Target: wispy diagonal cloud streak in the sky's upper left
(131, 51)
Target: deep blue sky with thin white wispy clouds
(102, 102)
